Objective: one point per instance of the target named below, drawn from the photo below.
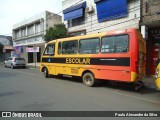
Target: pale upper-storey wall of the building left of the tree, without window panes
(46, 19)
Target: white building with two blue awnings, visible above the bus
(94, 16)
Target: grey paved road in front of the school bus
(28, 90)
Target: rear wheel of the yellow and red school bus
(88, 79)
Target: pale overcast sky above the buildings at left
(15, 11)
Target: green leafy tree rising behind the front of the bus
(56, 32)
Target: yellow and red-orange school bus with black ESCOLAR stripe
(116, 56)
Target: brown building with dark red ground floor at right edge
(150, 26)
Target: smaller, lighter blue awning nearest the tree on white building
(74, 11)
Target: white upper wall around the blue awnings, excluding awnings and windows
(91, 22)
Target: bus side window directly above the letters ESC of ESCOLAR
(70, 47)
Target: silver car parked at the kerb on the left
(15, 62)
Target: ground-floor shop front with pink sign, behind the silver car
(30, 49)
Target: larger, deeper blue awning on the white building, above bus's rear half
(111, 9)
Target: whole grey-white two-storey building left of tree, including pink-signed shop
(28, 35)
